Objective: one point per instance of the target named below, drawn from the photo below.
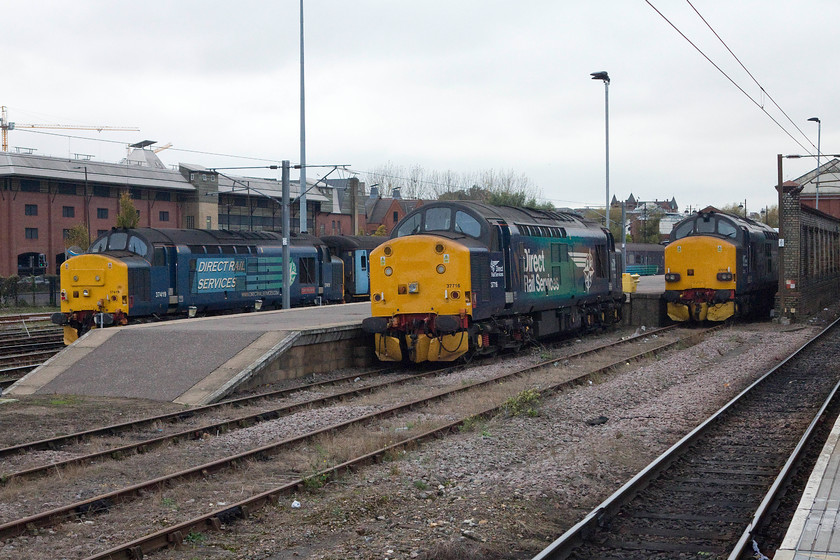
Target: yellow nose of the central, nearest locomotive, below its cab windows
(420, 299)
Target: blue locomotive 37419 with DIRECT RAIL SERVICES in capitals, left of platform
(147, 272)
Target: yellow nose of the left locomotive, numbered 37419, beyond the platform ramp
(91, 284)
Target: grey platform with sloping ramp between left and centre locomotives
(199, 361)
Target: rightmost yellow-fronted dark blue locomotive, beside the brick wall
(719, 265)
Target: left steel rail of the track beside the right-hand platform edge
(579, 533)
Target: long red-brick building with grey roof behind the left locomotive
(41, 198)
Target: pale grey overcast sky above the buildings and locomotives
(460, 85)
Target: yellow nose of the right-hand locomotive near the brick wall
(700, 279)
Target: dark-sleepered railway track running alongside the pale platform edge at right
(712, 492)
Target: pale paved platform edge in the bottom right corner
(814, 532)
